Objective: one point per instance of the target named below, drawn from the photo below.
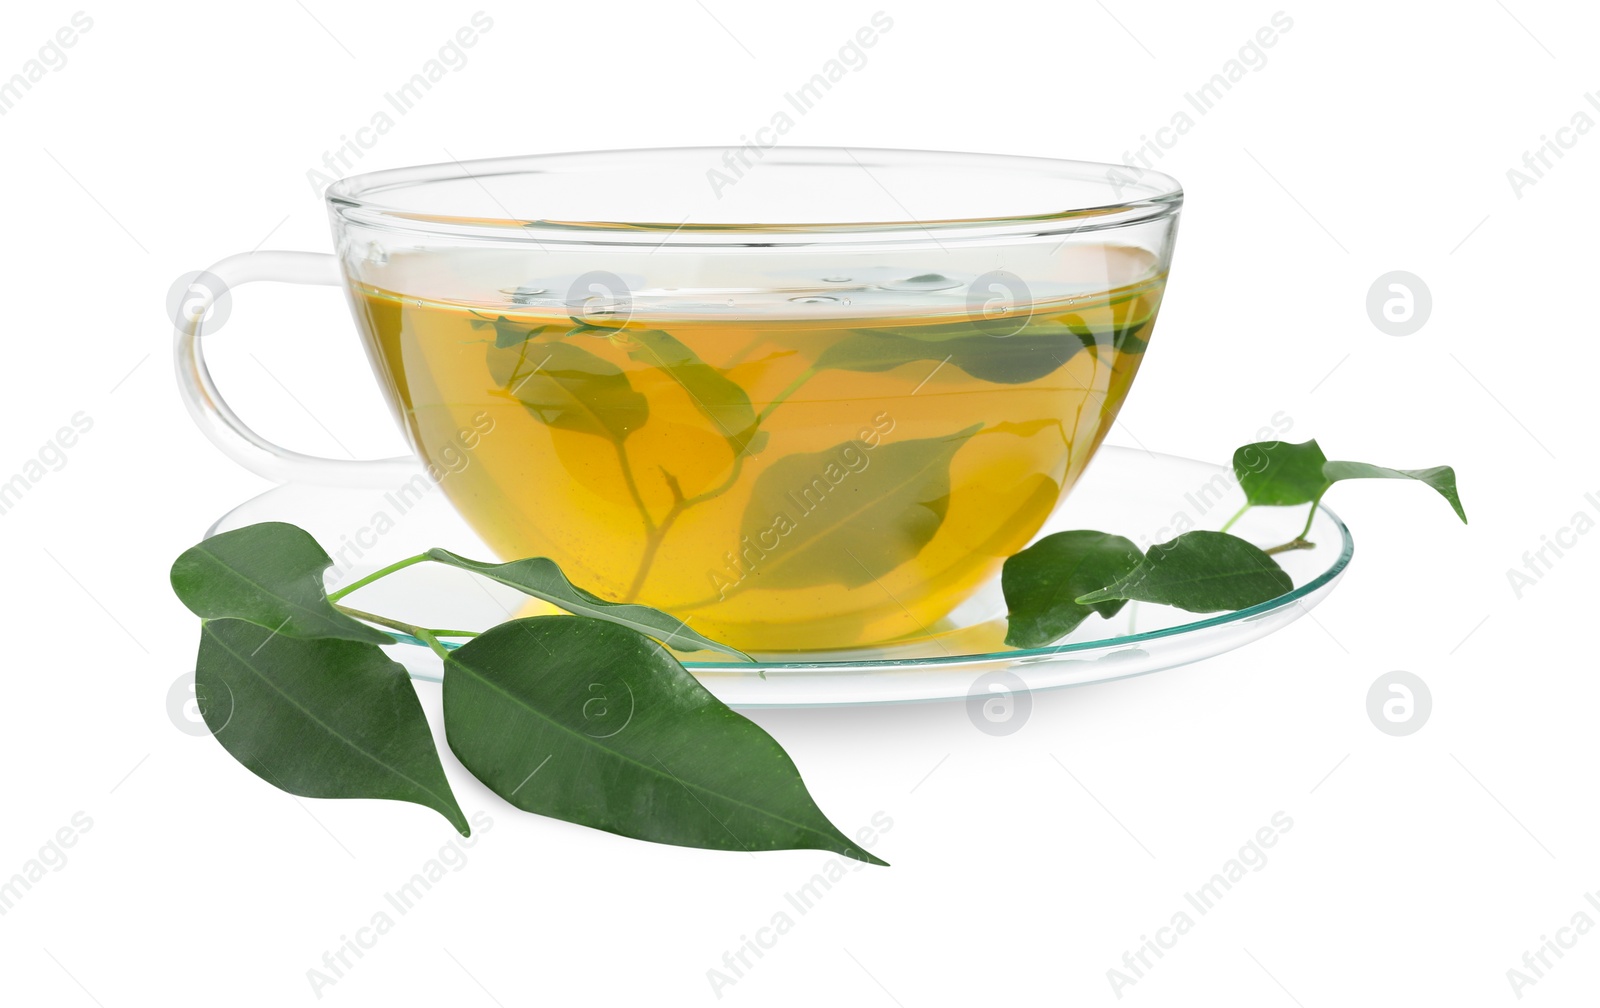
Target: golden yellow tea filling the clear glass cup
(783, 482)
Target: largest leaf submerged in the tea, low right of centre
(849, 514)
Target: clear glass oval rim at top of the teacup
(1134, 196)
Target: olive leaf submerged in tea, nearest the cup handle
(569, 388)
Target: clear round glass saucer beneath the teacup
(1145, 497)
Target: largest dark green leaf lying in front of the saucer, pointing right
(594, 724)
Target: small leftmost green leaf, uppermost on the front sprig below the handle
(268, 575)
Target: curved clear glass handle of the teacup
(214, 415)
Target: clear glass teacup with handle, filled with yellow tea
(809, 398)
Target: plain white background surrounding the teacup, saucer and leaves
(1377, 137)
